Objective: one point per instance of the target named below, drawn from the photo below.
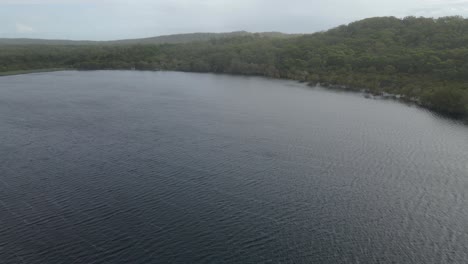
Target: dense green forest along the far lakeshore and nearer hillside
(420, 59)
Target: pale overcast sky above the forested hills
(123, 19)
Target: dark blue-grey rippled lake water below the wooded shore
(148, 167)
